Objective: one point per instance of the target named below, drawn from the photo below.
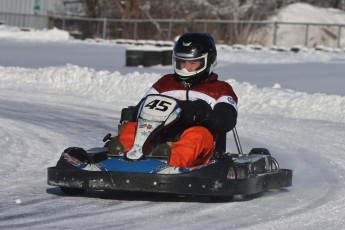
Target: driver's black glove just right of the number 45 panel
(194, 112)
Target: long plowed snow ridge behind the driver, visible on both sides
(129, 88)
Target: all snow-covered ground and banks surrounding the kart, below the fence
(59, 92)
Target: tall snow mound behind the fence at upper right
(304, 13)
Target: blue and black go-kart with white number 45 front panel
(225, 175)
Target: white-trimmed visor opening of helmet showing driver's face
(189, 66)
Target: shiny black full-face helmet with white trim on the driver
(194, 47)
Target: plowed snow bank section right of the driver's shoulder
(289, 103)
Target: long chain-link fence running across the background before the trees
(266, 33)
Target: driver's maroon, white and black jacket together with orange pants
(195, 143)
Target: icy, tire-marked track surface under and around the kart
(34, 132)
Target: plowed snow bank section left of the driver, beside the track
(75, 80)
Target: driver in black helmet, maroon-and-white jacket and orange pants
(208, 105)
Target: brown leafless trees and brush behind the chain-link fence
(190, 11)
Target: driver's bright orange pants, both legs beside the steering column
(194, 147)
